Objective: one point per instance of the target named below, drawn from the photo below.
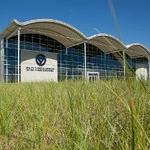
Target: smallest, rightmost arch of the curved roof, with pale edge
(137, 50)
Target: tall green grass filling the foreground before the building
(75, 115)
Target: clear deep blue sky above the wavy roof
(89, 16)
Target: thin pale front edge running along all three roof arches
(75, 30)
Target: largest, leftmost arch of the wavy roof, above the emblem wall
(60, 31)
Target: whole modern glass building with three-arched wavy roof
(51, 50)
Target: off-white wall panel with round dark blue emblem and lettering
(36, 66)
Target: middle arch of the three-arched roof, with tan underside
(107, 43)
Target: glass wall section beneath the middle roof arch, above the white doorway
(108, 65)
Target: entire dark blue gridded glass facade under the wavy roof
(71, 61)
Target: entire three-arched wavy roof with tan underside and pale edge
(69, 36)
